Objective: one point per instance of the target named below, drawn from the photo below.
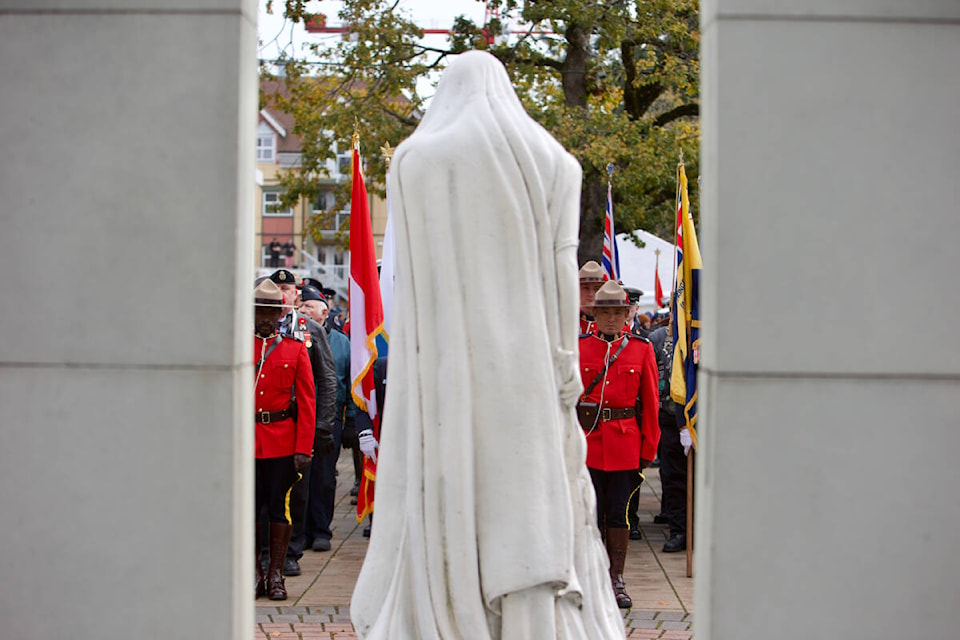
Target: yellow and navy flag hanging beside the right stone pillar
(686, 310)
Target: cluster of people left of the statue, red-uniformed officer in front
(304, 415)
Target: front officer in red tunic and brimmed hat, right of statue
(618, 412)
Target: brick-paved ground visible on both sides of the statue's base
(319, 602)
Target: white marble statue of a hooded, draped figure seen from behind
(485, 515)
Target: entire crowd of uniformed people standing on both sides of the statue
(305, 415)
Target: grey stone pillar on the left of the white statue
(127, 135)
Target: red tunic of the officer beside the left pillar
(287, 367)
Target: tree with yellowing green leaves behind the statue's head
(614, 81)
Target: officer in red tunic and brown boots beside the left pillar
(285, 422)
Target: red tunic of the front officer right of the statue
(619, 444)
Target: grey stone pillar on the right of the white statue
(831, 358)
